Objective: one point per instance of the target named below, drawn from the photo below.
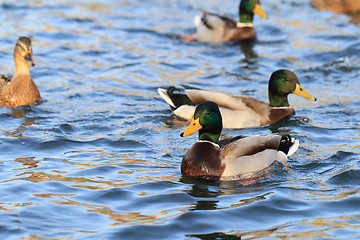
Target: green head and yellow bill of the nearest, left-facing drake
(207, 120)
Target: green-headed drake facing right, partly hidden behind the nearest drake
(241, 111)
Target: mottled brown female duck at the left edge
(20, 90)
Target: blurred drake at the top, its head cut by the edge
(214, 28)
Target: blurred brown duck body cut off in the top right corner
(339, 6)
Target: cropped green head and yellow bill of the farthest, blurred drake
(248, 8)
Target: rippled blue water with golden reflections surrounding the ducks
(98, 159)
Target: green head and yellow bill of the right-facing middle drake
(281, 84)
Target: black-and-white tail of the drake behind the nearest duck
(175, 100)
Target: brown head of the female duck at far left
(23, 51)
